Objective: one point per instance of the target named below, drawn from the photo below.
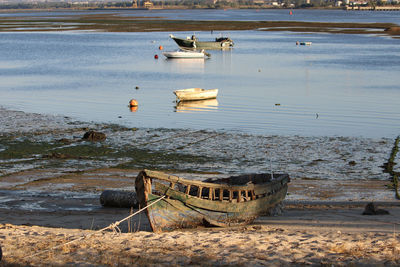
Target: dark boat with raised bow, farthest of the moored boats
(194, 43)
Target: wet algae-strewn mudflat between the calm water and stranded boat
(48, 153)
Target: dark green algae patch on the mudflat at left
(78, 154)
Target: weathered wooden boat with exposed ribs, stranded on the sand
(182, 203)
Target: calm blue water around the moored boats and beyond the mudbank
(343, 85)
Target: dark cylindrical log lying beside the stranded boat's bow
(119, 199)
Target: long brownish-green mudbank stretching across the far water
(115, 23)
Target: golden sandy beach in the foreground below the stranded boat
(316, 235)
